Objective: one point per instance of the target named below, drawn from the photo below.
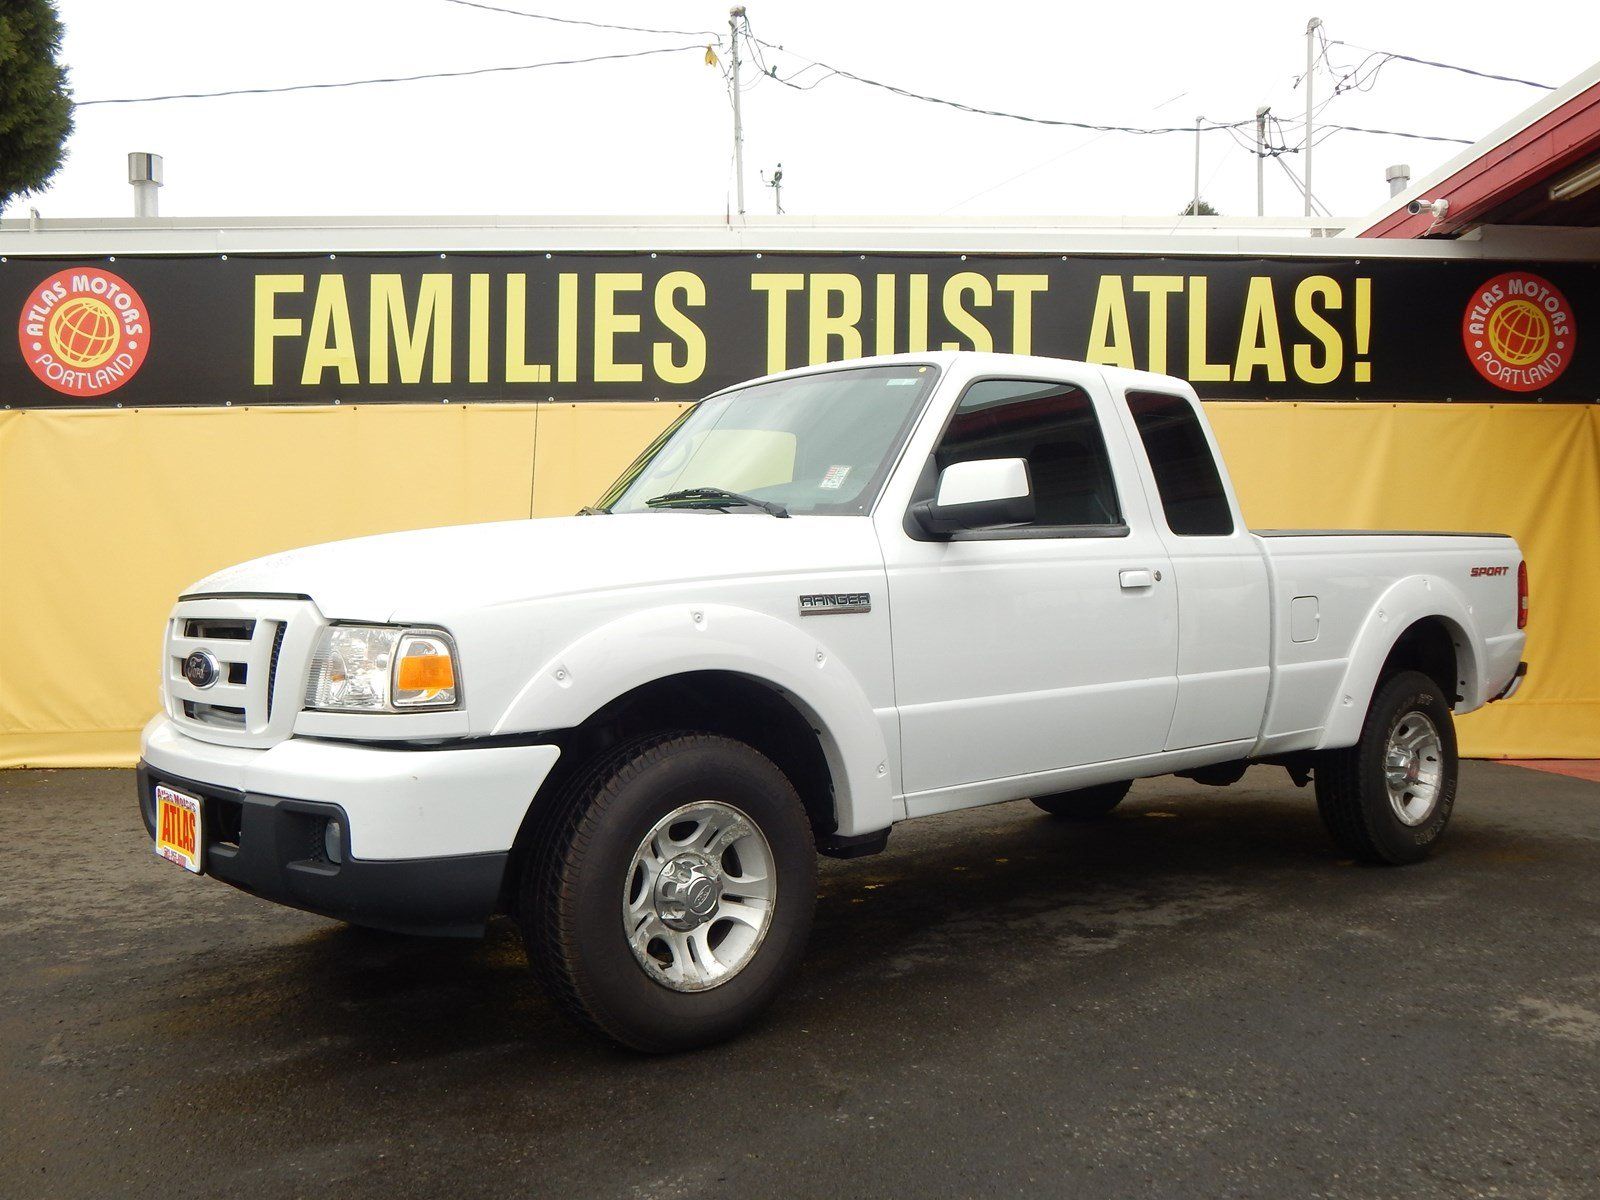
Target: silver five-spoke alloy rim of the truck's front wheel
(698, 897)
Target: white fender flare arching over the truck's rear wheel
(1402, 606)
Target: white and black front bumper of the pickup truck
(426, 833)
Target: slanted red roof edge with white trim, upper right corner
(1538, 169)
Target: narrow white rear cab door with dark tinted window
(1225, 626)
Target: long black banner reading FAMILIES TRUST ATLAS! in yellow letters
(358, 329)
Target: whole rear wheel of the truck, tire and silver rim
(1388, 799)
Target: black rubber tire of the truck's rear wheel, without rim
(1353, 793)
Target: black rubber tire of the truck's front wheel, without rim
(570, 895)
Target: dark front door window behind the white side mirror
(1054, 426)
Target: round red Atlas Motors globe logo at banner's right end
(1519, 332)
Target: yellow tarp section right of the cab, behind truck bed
(1532, 471)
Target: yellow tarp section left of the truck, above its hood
(106, 516)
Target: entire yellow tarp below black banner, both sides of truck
(108, 514)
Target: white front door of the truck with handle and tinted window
(1033, 649)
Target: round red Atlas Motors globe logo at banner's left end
(84, 332)
